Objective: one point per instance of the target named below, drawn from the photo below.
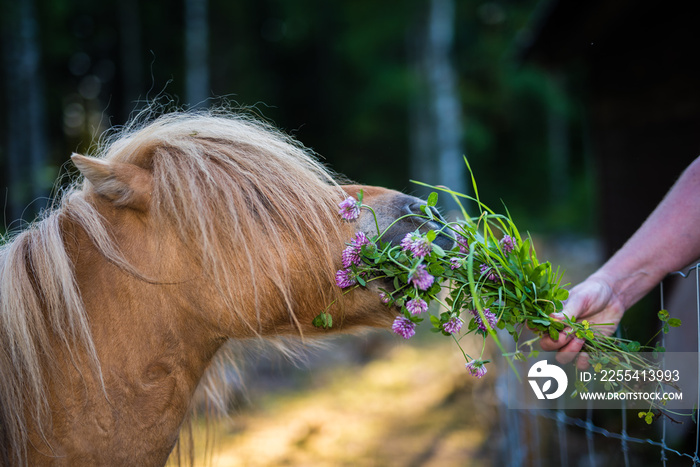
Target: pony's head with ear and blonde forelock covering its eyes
(243, 215)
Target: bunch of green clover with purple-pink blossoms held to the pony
(491, 279)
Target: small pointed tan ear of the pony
(125, 185)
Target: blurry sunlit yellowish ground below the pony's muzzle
(417, 406)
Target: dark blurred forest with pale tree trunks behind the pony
(383, 91)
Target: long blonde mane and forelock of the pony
(237, 192)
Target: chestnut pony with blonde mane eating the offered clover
(185, 232)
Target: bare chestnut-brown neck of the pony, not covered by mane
(152, 352)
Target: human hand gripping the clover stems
(593, 300)
